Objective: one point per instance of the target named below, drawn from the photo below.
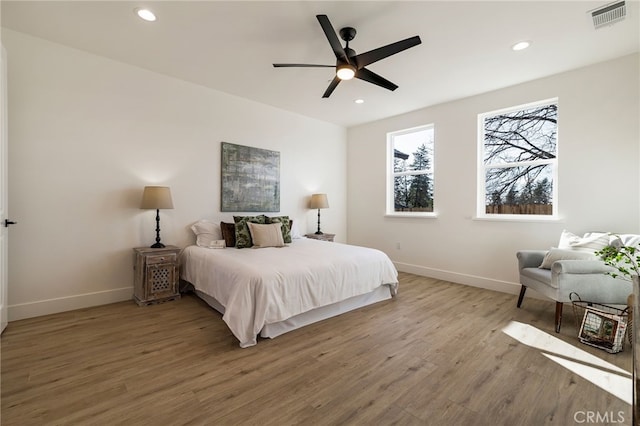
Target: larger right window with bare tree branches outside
(518, 161)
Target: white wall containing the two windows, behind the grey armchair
(599, 181)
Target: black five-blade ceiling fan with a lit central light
(349, 64)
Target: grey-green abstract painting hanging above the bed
(250, 179)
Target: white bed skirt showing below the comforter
(315, 315)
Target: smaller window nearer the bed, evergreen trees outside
(410, 171)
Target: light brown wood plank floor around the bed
(435, 355)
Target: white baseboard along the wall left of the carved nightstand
(62, 304)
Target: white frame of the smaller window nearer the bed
(391, 174)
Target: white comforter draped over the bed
(268, 285)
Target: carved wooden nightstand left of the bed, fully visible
(155, 275)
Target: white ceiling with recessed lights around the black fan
(230, 46)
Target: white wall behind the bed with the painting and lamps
(86, 134)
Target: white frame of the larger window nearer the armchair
(482, 168)
